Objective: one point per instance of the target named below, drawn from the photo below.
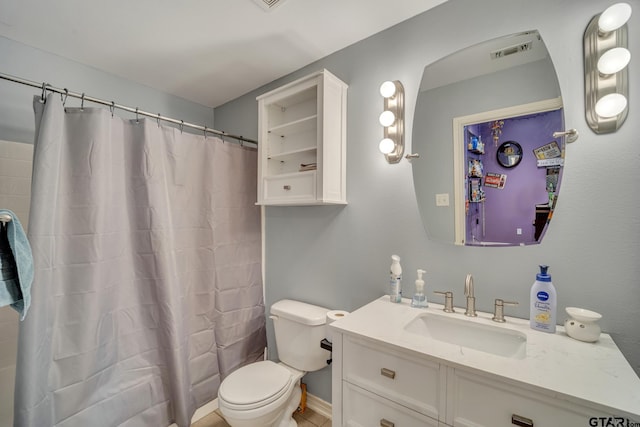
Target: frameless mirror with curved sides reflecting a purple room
(490, 168)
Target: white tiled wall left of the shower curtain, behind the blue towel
(15, 195)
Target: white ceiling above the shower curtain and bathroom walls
(206, 51)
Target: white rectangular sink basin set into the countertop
(469, 334)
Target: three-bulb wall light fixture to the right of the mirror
(606, 79)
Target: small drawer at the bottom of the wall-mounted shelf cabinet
(291, 187)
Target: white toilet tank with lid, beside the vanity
(299, 327)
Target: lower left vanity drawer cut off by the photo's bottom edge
(366, 409)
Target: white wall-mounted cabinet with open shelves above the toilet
(302, 142)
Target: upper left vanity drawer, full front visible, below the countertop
(414, 383)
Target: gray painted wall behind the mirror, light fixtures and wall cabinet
(338, 257)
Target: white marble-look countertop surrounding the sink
(570, 369)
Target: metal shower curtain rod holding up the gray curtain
(47, 87)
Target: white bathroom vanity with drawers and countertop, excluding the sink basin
(385, 375)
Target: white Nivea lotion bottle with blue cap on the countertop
(542, 316)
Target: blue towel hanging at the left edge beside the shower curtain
(16, 275)
